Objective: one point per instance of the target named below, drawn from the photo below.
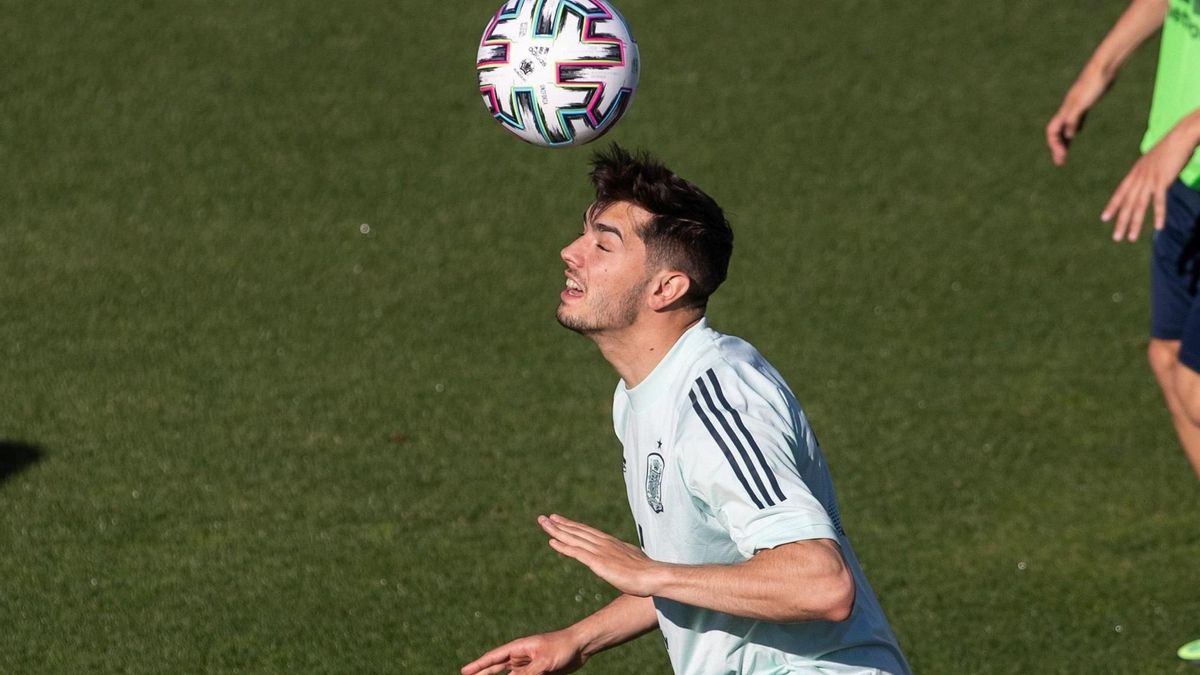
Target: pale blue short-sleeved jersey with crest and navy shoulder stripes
(721, 463)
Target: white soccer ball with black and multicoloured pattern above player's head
(557, 73)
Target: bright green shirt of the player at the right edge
(1178, 85)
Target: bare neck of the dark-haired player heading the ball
(634, 351)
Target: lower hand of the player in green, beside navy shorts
(1145, 187)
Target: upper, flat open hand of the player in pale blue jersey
(622, 565)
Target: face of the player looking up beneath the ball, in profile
(607, 276)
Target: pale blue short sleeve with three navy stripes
(737, 456)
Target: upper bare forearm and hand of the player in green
(1139, 22)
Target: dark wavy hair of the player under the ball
(688, 231)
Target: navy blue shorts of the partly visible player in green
(1175, 276)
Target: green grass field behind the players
(281, 387)
